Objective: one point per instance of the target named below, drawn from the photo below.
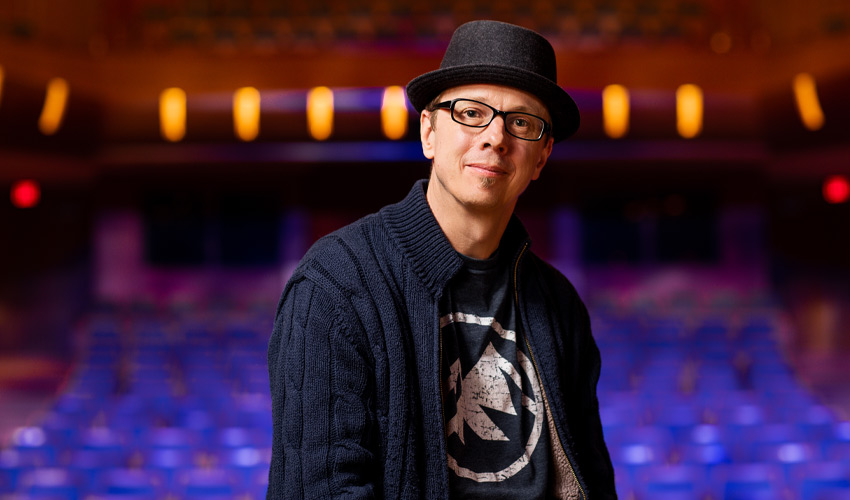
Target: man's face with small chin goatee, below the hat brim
(482, 169)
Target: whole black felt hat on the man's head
(504, 54)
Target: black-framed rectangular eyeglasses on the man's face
(476, 114)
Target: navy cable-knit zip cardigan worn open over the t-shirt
(354, 362)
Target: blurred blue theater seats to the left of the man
(157, 407)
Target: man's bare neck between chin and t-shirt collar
(472, 232)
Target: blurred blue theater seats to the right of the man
(703, 405)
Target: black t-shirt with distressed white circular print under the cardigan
(496, 432)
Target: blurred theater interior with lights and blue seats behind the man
(164, 164)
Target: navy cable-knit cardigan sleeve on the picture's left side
(320, 380)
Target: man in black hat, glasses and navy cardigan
(424, 351)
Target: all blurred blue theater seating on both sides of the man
(695, 404)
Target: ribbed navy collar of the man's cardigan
(420, 238)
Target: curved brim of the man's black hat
(563, 110)
